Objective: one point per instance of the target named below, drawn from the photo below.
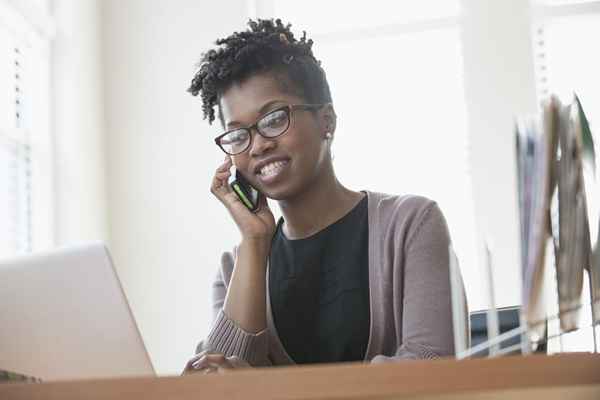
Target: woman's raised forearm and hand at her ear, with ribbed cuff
(239, 301)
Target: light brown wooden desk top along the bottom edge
(568, 376)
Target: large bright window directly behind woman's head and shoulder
(395, 71)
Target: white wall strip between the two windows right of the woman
(499, 85)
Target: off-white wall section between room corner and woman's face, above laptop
(167, 232)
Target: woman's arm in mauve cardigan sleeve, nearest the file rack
(426, 304)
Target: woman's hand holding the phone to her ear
(259, 225)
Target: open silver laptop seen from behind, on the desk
(63, 315)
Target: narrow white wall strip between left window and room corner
(78, 123)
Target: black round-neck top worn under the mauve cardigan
(319, 289)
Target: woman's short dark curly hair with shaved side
(267, 46)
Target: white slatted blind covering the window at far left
(18, 77)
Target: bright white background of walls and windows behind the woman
(100, 140)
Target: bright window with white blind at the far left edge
(25, 157)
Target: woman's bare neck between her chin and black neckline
(320, 205)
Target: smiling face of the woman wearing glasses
(299, 154)
